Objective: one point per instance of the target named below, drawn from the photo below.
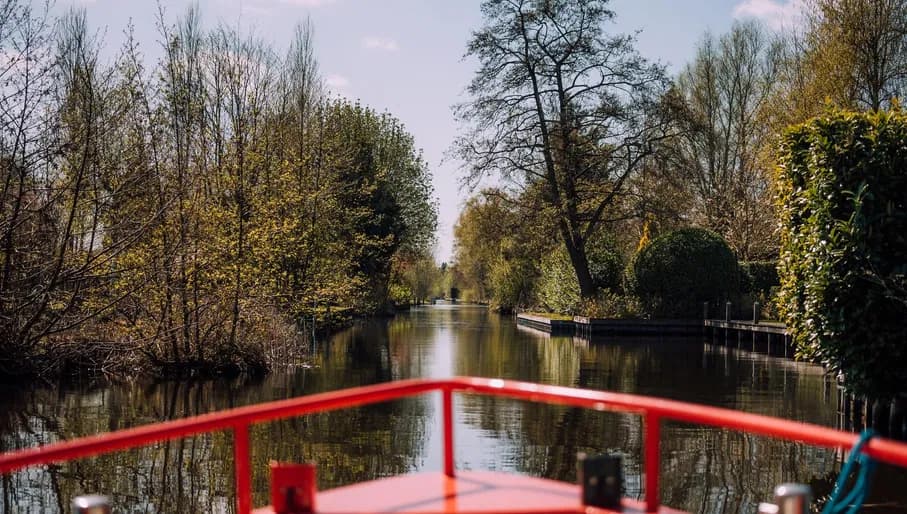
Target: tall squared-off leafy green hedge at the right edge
(842, 186)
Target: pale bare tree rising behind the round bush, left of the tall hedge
(720, 149)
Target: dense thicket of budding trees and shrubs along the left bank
(192, 215)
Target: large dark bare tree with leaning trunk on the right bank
(559, 102)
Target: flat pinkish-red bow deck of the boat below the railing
(471, 491)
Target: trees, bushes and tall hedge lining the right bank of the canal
(766, 171)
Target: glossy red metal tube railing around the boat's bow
(652, 410)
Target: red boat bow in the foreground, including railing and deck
(449, 490)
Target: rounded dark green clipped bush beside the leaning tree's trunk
(677, 272)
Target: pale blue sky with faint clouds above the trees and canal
(406, 56)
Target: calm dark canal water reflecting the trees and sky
(704, 470)
